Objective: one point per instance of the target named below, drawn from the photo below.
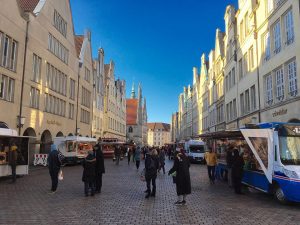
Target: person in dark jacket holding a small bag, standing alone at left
(54, 167)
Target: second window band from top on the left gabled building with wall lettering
(58, 49)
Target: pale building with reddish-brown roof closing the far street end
(159, 134)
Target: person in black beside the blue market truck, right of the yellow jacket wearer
(237, 171)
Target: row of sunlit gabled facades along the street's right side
(252, 75)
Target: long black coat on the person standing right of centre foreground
(183, 181)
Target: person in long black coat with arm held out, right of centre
(182, 178)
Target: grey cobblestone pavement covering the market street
(122, 201)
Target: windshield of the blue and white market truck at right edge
(290, 150)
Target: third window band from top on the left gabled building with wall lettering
(56, 80)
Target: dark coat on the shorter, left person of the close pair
(89, 169)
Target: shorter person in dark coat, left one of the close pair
(89, 173)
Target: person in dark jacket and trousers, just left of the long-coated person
(151, 167)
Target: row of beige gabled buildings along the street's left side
(50, 85)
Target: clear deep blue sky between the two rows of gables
(155, 42)
